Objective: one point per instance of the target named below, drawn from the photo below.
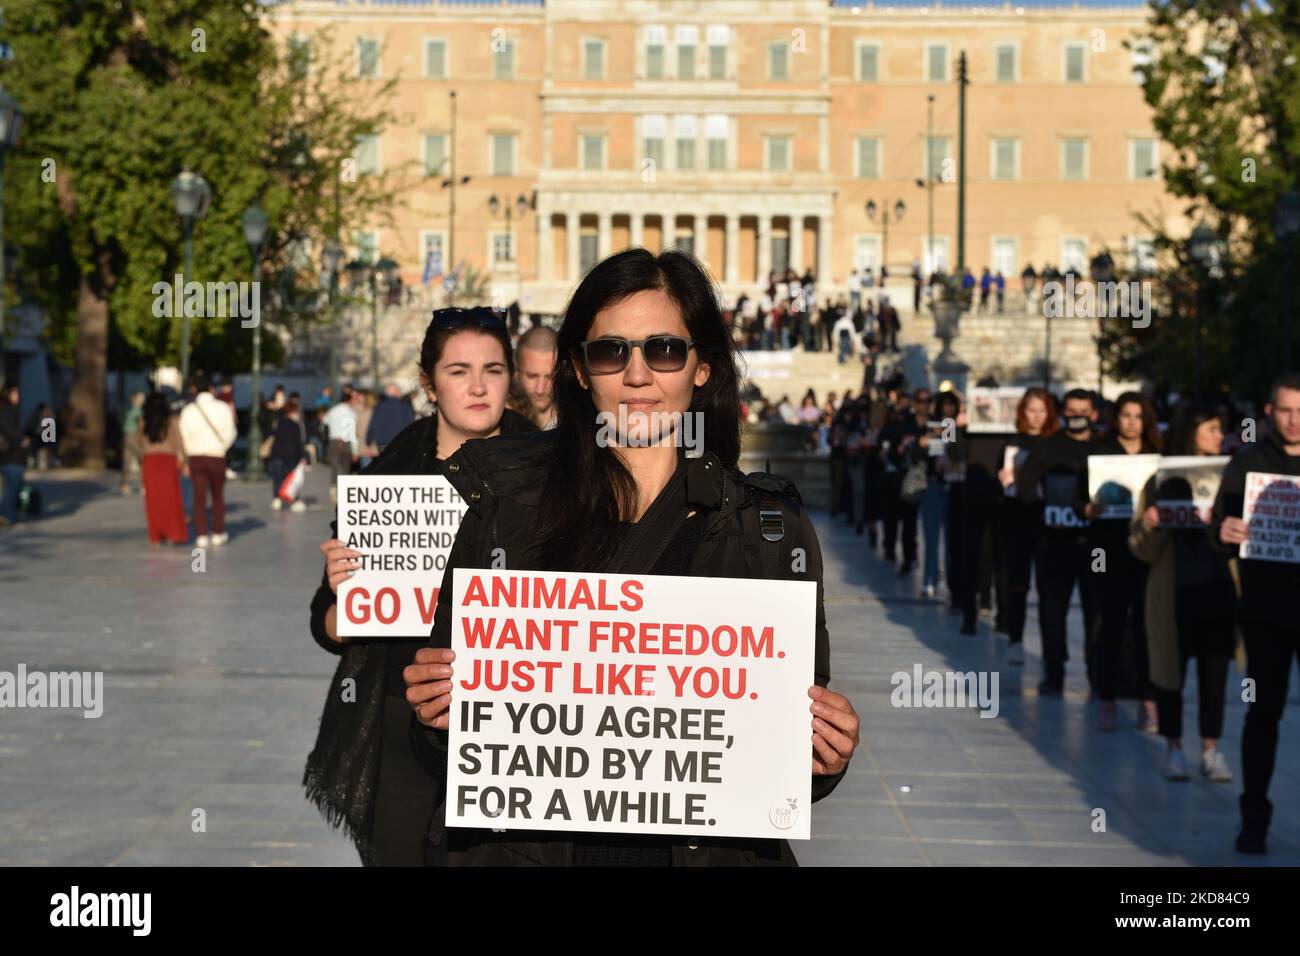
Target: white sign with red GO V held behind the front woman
(404, 526)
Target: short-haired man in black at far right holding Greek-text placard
(1268, 611)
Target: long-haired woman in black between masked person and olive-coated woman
(1124, 583)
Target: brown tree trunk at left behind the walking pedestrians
(84, 443)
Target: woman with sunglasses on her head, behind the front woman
(362, 773)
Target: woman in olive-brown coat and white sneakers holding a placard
(1190, 604)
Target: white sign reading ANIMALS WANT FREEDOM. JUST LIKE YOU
(639, 704)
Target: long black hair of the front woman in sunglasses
(590, 486)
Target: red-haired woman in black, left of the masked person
(1035, 419)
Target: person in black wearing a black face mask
(1054, 485)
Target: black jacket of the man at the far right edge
(1269, 589)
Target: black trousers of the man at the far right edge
(1271, 652)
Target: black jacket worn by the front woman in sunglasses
(502, 483)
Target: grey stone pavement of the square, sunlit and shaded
(214, 690)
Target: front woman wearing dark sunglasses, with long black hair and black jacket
(643, 343)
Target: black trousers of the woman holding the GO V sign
(406, 795)
